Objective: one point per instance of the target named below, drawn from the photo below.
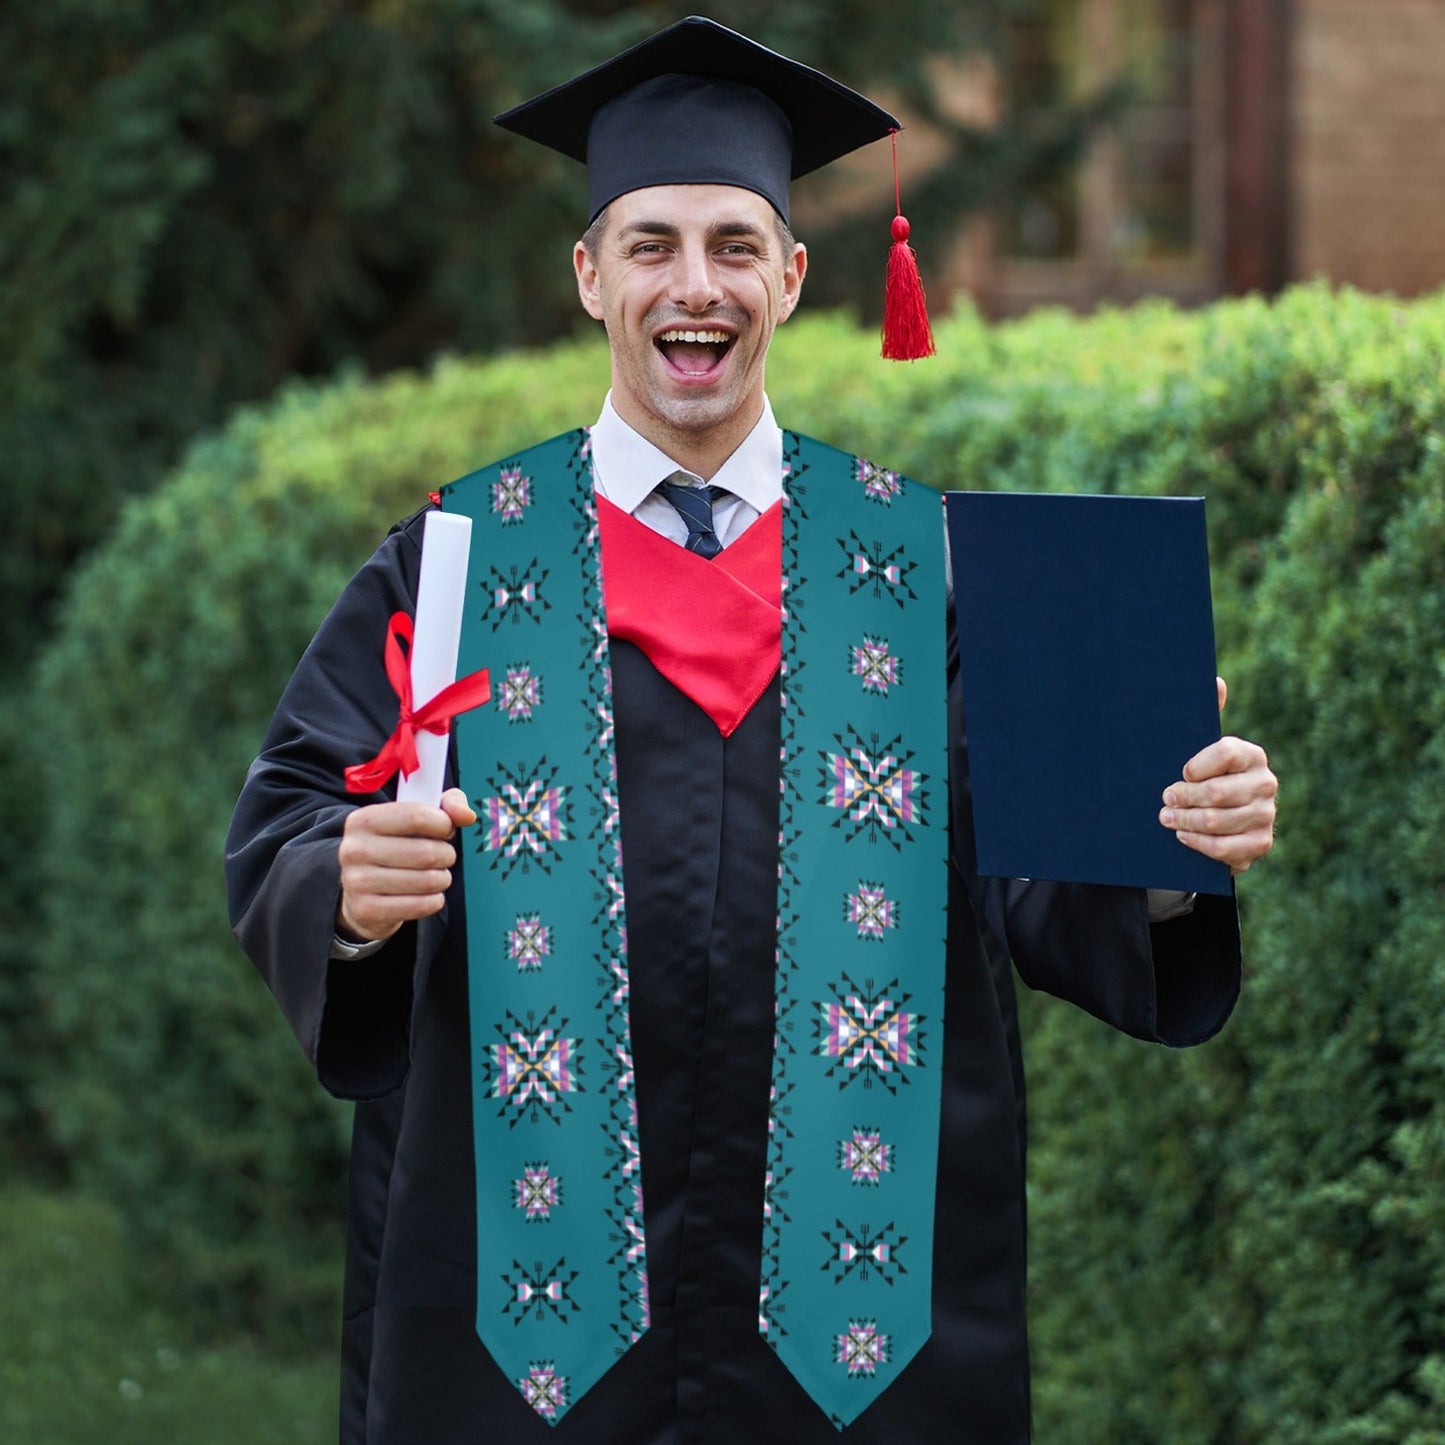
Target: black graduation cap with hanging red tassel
(702, 105)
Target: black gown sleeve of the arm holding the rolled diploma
(282, 868)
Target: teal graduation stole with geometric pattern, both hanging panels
(847, 1206)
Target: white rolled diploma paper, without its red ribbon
(440, 598)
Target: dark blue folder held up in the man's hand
(1086, 644)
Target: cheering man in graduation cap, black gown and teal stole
(476, 1035)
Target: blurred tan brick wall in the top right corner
(1368, 144)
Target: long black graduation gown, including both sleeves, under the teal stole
(700, 827)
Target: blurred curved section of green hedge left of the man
(173, 1089)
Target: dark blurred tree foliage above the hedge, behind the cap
(202, 202)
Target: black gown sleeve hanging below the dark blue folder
(1092, 944)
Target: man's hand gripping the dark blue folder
(1225, 804)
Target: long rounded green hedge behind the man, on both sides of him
(1238, 1245)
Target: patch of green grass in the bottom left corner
(86, 1359)
